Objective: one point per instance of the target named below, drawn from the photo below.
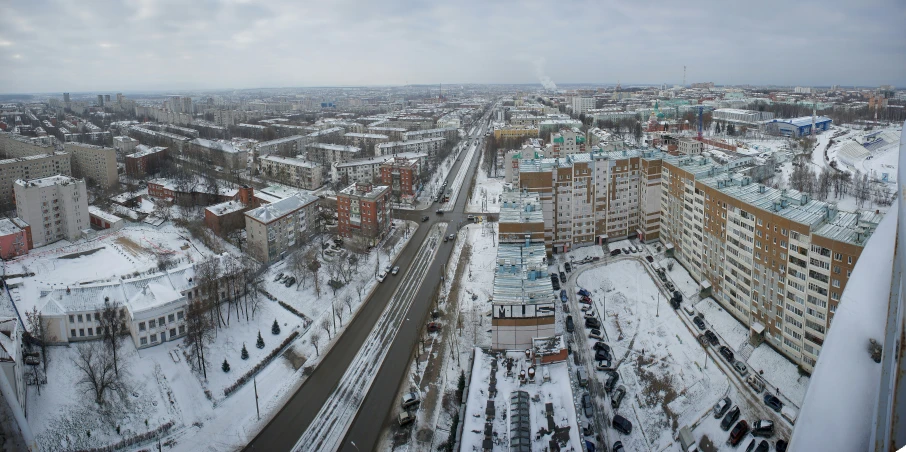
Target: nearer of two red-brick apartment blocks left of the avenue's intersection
(363, 211)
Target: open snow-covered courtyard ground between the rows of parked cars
(662, 365)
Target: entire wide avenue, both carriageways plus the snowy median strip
(417, 281)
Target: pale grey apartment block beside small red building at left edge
(55, 207)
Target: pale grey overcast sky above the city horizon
(63, 45)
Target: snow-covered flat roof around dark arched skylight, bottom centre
(557, 392)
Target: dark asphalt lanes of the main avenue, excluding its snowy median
(287, 426)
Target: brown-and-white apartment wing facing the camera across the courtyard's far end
(595, 197)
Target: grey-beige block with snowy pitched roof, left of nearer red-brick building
(275, 228)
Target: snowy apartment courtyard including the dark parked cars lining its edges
(650, 362)
